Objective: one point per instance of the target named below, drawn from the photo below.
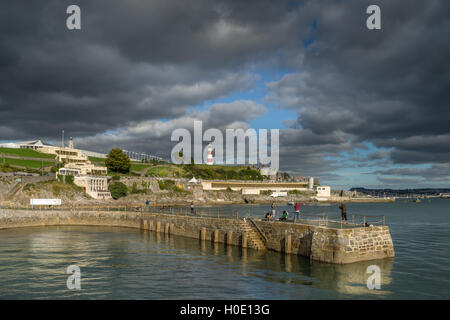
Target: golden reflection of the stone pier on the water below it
(349, 279)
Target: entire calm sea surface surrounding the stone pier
(122, 263)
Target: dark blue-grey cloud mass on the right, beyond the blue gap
(389, 87)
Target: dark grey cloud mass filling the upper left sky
(134, 60)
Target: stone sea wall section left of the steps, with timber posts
(221, 230)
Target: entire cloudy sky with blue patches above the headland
(355, 107)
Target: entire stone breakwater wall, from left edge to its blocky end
(318, 243)
